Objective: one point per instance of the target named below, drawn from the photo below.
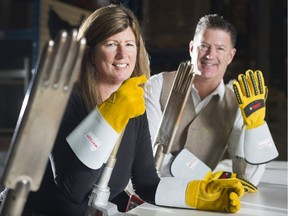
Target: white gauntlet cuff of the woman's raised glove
(93, 140)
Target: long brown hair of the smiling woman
(101, 24)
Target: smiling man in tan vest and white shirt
(211, 121)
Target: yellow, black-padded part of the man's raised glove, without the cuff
(251, 94)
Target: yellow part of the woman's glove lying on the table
(215, 195)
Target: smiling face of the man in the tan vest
(211, 52)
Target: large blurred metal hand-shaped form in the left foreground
(39, 120)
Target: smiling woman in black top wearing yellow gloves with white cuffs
(108, 96)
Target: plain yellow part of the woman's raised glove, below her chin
(127, 102)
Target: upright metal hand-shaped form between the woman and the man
(173, 110)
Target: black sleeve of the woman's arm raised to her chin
(71, 176)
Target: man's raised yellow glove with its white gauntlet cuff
(256, 144)
